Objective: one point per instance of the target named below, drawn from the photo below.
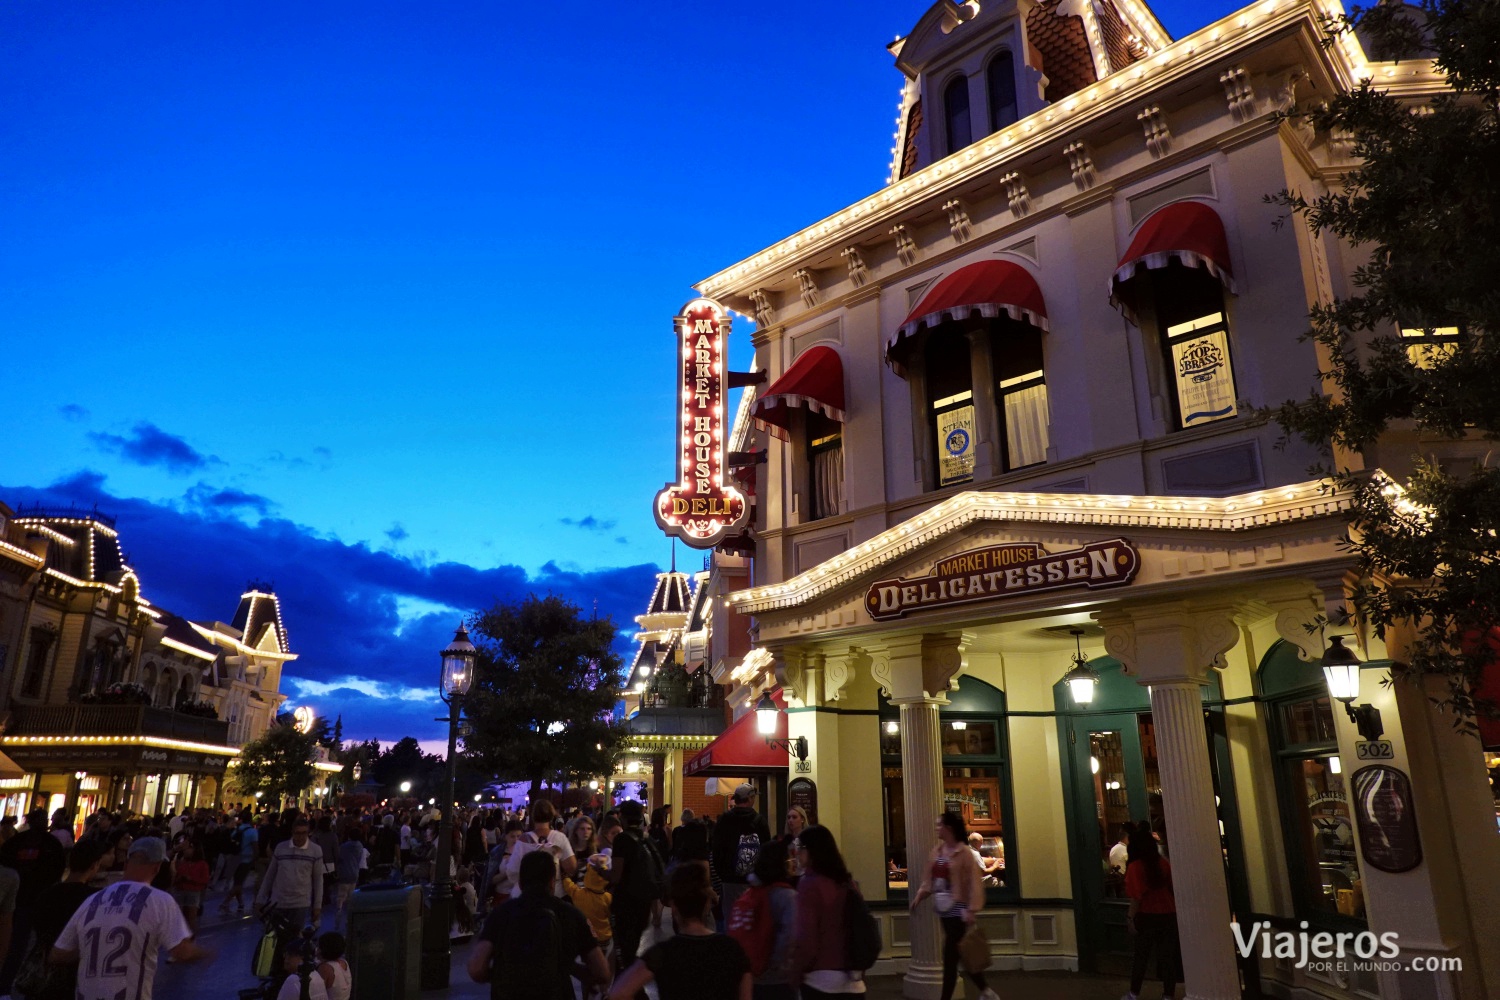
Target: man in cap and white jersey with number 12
(118, 932)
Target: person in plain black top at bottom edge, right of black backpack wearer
(697, 963)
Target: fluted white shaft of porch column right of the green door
(1193, 839)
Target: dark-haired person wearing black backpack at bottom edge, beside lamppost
(530, 945)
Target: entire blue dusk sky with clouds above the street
(373, 302)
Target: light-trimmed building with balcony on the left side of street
(110, 701)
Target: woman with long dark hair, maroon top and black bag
(838, 939)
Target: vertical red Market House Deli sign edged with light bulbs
(700, 509)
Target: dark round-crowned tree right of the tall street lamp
(545, 684)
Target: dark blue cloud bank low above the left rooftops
(367, 624)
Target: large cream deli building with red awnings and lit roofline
(1010, 422)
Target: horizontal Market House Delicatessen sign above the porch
(1007, 570)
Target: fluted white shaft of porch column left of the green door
(922, 789)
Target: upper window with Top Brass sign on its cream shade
(1195, 337)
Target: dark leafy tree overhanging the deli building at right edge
(1424, 203)
